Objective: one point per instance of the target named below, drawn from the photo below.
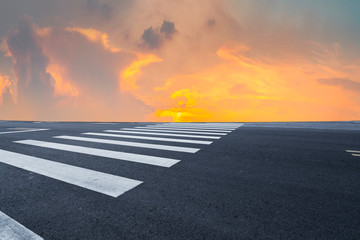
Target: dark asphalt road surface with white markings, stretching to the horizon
(179, 181)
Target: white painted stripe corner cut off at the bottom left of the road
(12, 230)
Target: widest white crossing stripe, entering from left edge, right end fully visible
(97, 181)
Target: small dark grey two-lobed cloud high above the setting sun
(155, 38)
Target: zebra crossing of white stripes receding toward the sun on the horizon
(158, 134)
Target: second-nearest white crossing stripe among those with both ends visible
(133, 144)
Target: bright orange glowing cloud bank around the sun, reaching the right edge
(270, 89)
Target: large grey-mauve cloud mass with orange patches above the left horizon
(75, 73)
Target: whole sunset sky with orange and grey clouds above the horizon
(180, 60)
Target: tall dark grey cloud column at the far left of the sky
(30, 63)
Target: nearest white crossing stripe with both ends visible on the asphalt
(131, 157)
